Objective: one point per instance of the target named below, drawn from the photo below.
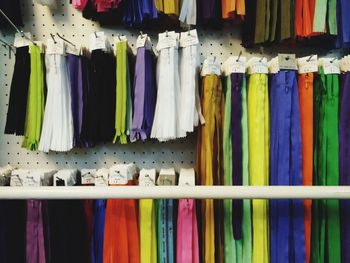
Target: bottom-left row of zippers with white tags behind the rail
(36, 231)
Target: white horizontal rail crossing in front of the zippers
(177, 192)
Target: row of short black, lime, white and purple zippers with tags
(97, 96)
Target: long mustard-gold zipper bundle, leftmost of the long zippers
(210, 166)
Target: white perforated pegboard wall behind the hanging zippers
(67, 21)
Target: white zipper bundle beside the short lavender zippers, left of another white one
(166, 123)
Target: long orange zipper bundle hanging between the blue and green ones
(305, 89)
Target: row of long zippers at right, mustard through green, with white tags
(282, 128)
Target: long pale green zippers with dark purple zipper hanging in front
(237, 222)
